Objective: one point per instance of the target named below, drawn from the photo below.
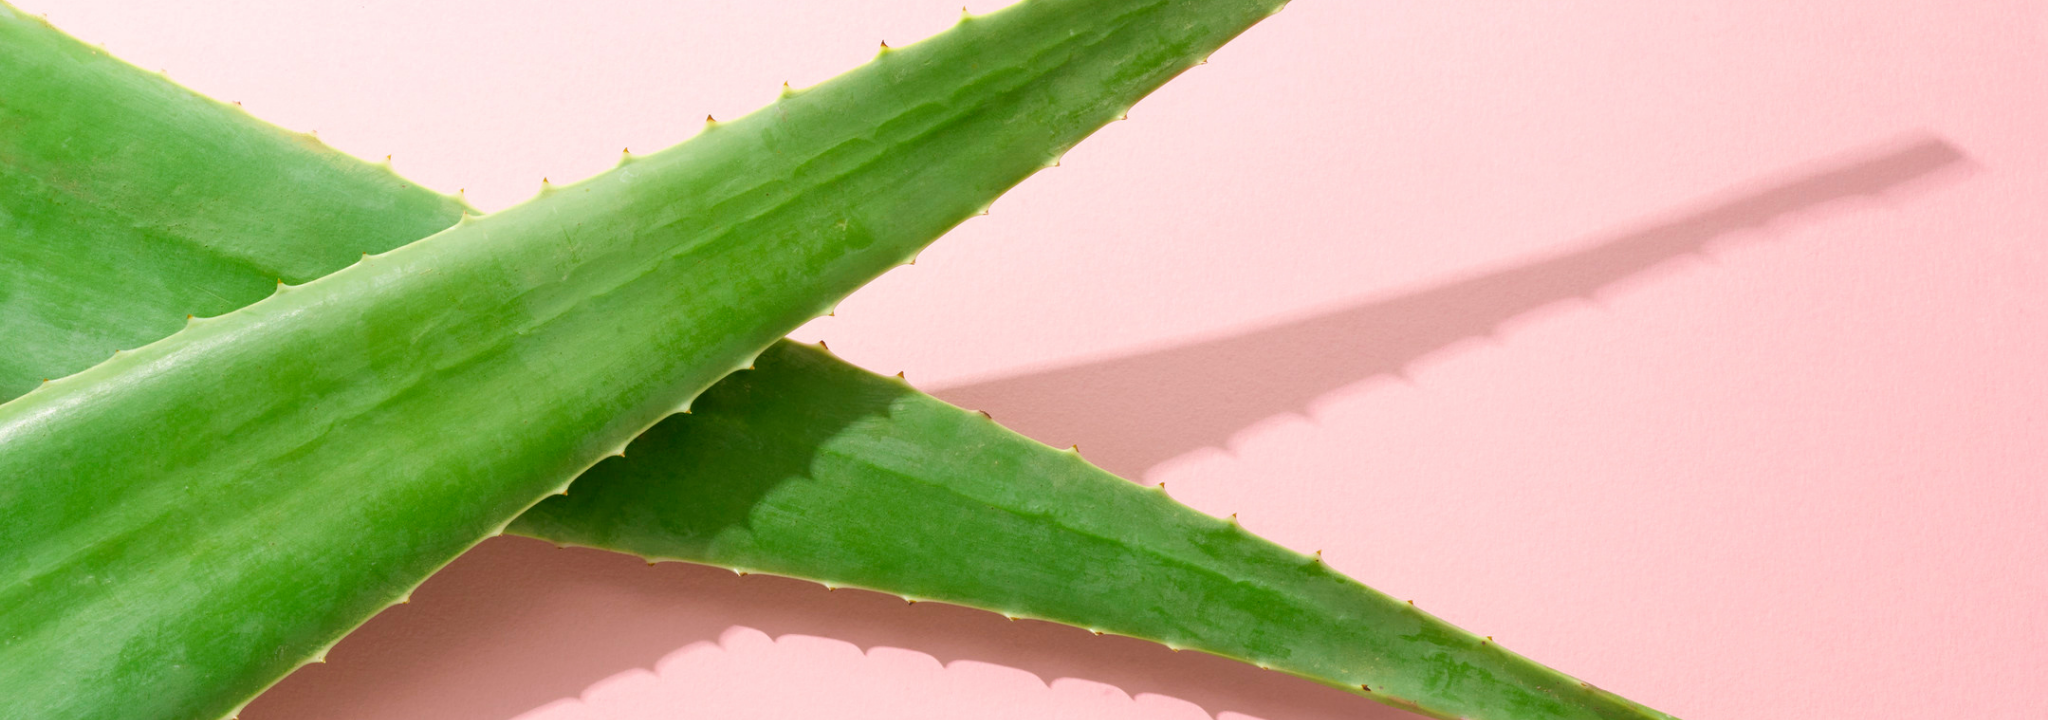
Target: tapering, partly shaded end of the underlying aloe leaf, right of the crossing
(830, 474)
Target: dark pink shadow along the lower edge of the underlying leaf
(519, 623)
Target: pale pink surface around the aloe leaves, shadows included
(1691, 349)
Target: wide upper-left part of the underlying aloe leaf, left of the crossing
(126, 206)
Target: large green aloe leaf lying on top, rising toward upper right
(200, 516)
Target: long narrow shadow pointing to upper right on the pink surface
(1129, 414)
